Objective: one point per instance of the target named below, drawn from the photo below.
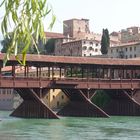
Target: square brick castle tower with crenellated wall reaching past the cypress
(79, 29)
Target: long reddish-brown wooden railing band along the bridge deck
(79, 82)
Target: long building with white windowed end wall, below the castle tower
(81, 47)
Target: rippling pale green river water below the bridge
(114, 128)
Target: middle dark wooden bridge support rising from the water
(80, 105)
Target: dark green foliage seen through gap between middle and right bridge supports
(101, 99)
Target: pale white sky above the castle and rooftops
(112, 14)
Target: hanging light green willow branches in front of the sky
(26, 16)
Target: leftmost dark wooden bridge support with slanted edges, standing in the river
(33, 105)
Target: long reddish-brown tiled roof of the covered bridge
(46, 59)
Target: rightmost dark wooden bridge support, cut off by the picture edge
(123, 103)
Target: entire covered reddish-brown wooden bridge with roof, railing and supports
(82, 77)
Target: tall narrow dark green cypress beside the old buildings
(105, 41)
